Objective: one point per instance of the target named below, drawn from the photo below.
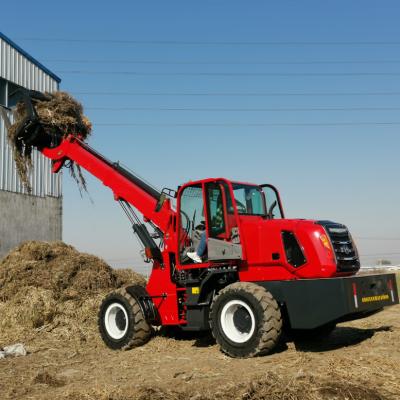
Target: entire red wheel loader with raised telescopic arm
(260, 273)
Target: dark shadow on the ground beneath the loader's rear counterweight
(339, 338)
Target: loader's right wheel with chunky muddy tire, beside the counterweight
(245, 320)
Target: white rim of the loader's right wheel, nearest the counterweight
(228, 325)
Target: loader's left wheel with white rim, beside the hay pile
(121, 321)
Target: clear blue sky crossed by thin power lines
(310, 130)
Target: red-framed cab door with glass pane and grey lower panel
(222, 228)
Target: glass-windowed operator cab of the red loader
(209, 217)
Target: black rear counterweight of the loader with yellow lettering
(311, 303)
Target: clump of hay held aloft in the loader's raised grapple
(61, 115)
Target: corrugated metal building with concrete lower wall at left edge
(35, 215)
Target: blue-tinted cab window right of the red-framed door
(249, 199)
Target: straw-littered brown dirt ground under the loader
(360, 360)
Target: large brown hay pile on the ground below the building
(51, 287)
